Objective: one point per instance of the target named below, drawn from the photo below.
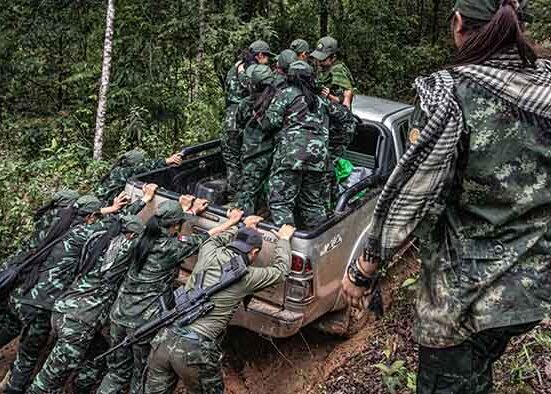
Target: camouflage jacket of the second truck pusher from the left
(59, 269)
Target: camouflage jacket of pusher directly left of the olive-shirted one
(139, 298)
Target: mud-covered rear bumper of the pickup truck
(268, 319)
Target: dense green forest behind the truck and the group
(169, 61)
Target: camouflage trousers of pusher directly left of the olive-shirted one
(125, 365)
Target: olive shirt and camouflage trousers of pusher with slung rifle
(192, 352)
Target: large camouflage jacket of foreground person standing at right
(485, 261)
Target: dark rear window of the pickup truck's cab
(362, 152)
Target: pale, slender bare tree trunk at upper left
(106, 68)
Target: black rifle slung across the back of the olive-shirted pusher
(190, 304)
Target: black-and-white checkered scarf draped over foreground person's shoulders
(415, 188)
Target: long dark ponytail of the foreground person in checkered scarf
(486, 39)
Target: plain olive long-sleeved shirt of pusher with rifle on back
(212, 255)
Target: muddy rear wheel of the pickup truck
(344, 323)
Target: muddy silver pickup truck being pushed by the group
(312, 291)
